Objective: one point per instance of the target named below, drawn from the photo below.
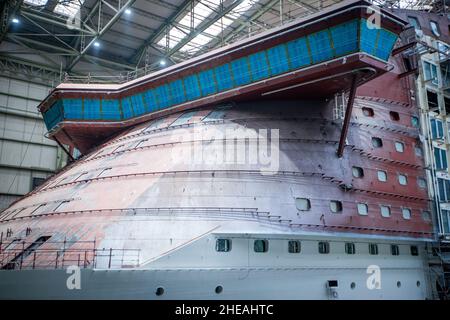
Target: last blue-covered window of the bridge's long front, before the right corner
(345, 38)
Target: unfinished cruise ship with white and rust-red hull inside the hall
(294, 164)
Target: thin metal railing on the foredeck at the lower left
(19, 255)
